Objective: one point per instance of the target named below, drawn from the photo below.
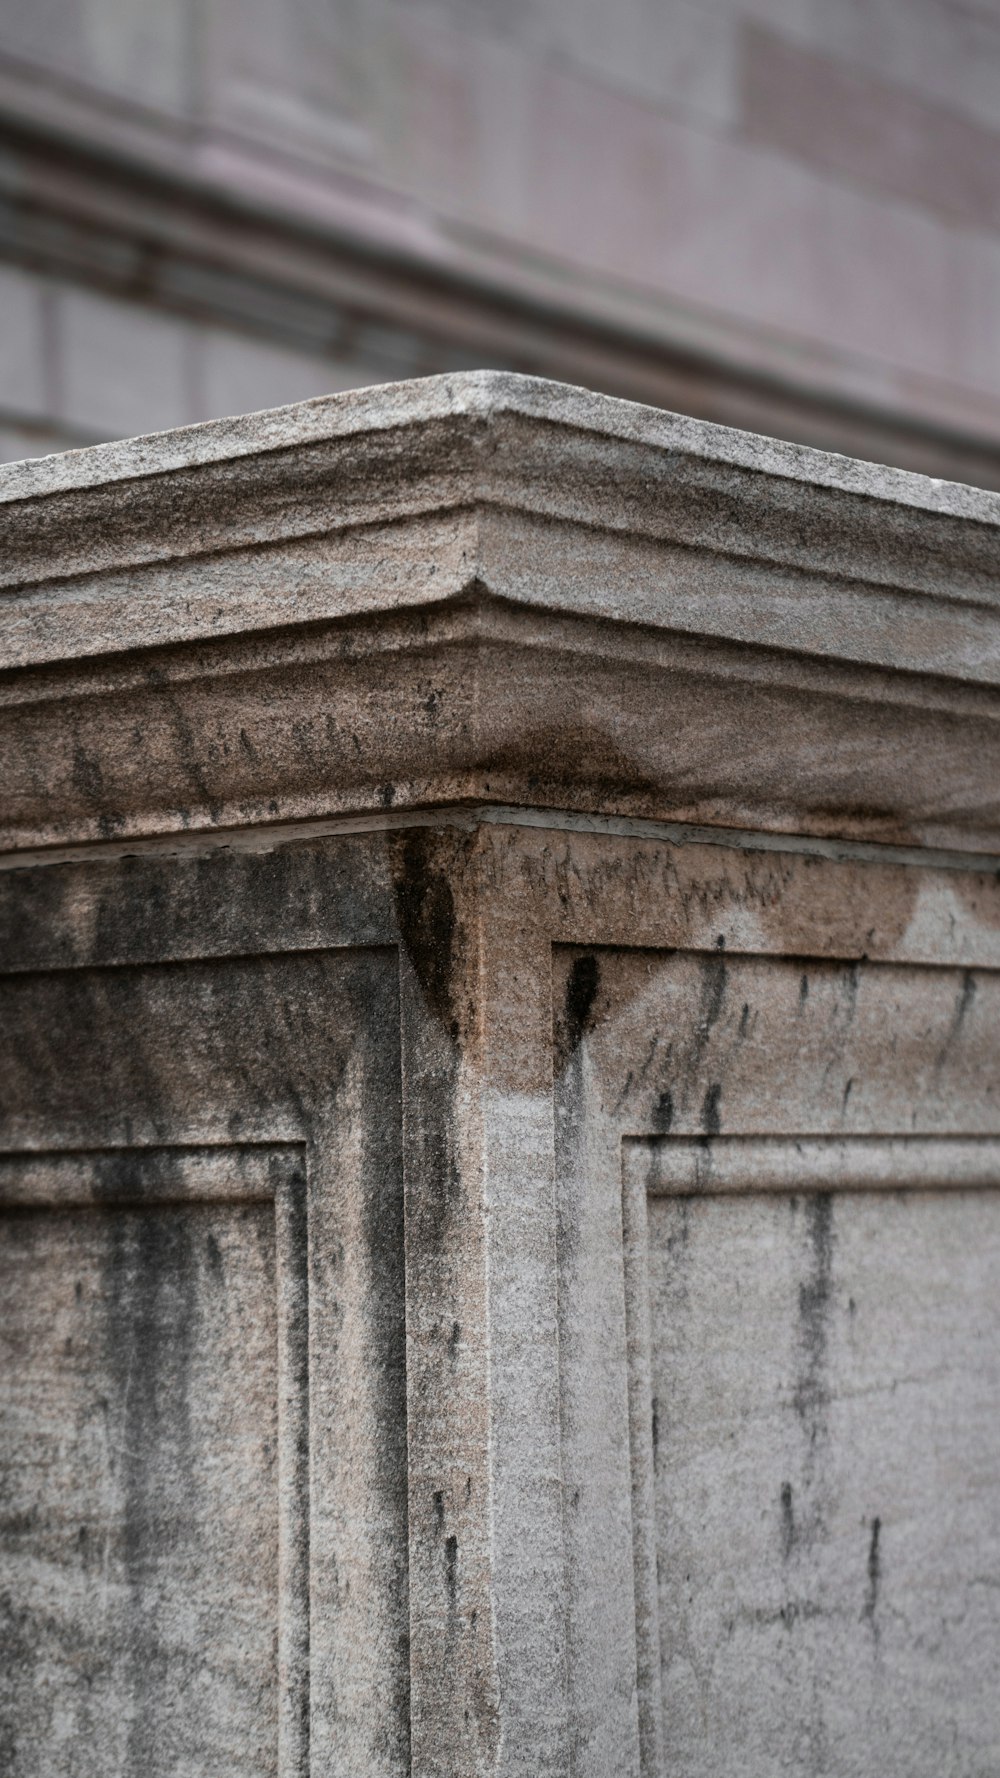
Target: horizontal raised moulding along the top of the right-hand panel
(718, 1165)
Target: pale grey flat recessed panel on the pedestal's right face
(827, 1434)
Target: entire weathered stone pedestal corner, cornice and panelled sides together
(501, 1142)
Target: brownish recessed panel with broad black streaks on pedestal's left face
(143, 1466)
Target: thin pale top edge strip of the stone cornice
(487, 399)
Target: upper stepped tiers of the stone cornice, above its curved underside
(551, 499)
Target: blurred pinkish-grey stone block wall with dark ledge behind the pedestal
(780, 214)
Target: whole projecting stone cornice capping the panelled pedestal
(494, 588)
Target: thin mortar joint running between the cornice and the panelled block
(270, 835)
